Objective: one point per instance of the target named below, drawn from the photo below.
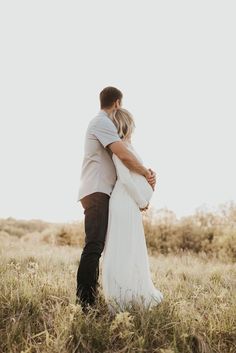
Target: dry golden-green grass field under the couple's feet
(38, 311)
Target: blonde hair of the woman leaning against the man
(124, 122)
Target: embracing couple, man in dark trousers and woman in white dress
(115, 187)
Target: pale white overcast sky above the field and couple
(175, 64)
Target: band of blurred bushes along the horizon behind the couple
(212, 233)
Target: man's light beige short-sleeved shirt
(98, 170)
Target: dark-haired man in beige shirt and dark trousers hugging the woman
(98, 178)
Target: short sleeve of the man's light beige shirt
(106, 132)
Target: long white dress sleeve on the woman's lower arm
(124, 175)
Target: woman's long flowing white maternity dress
(126, 273)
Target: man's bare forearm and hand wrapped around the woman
(131, 162)
